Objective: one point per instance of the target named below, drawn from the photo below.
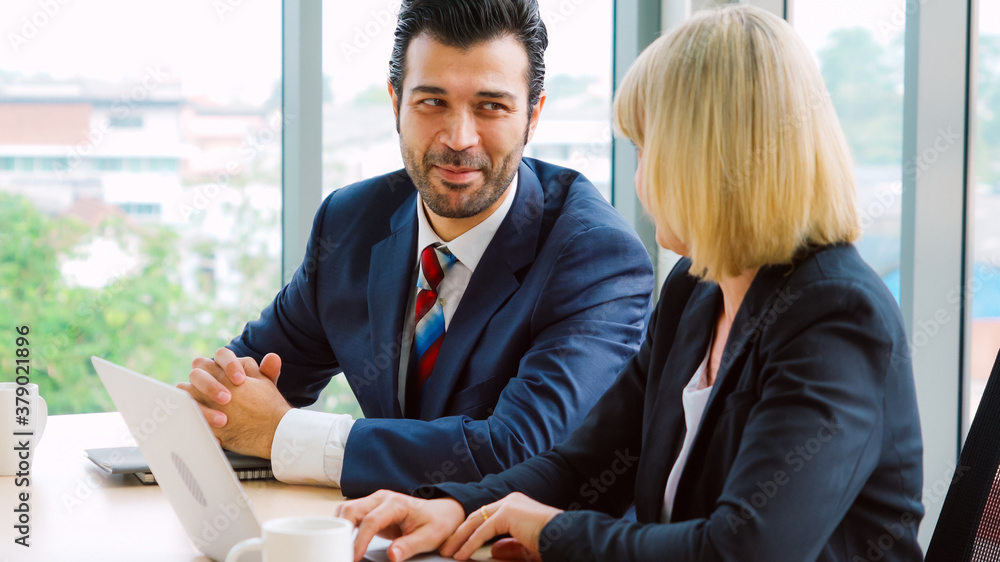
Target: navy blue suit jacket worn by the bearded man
(555, 308)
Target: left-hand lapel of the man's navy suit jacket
(389, 277)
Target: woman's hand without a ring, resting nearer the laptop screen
(417, 525)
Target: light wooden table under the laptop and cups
(80, 513)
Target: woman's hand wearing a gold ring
(517, 514)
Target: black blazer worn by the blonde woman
(809, 448)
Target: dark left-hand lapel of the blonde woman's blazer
(663, 442)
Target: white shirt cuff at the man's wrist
(308, 447)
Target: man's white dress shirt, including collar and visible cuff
(308, 446)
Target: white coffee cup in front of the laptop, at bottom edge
(303, 539)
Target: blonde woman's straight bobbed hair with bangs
(743, 156)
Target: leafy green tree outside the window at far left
(136, 320)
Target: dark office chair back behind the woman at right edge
(969, 526)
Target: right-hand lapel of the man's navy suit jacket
(494, 281)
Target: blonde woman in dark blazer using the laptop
(771, 413)
